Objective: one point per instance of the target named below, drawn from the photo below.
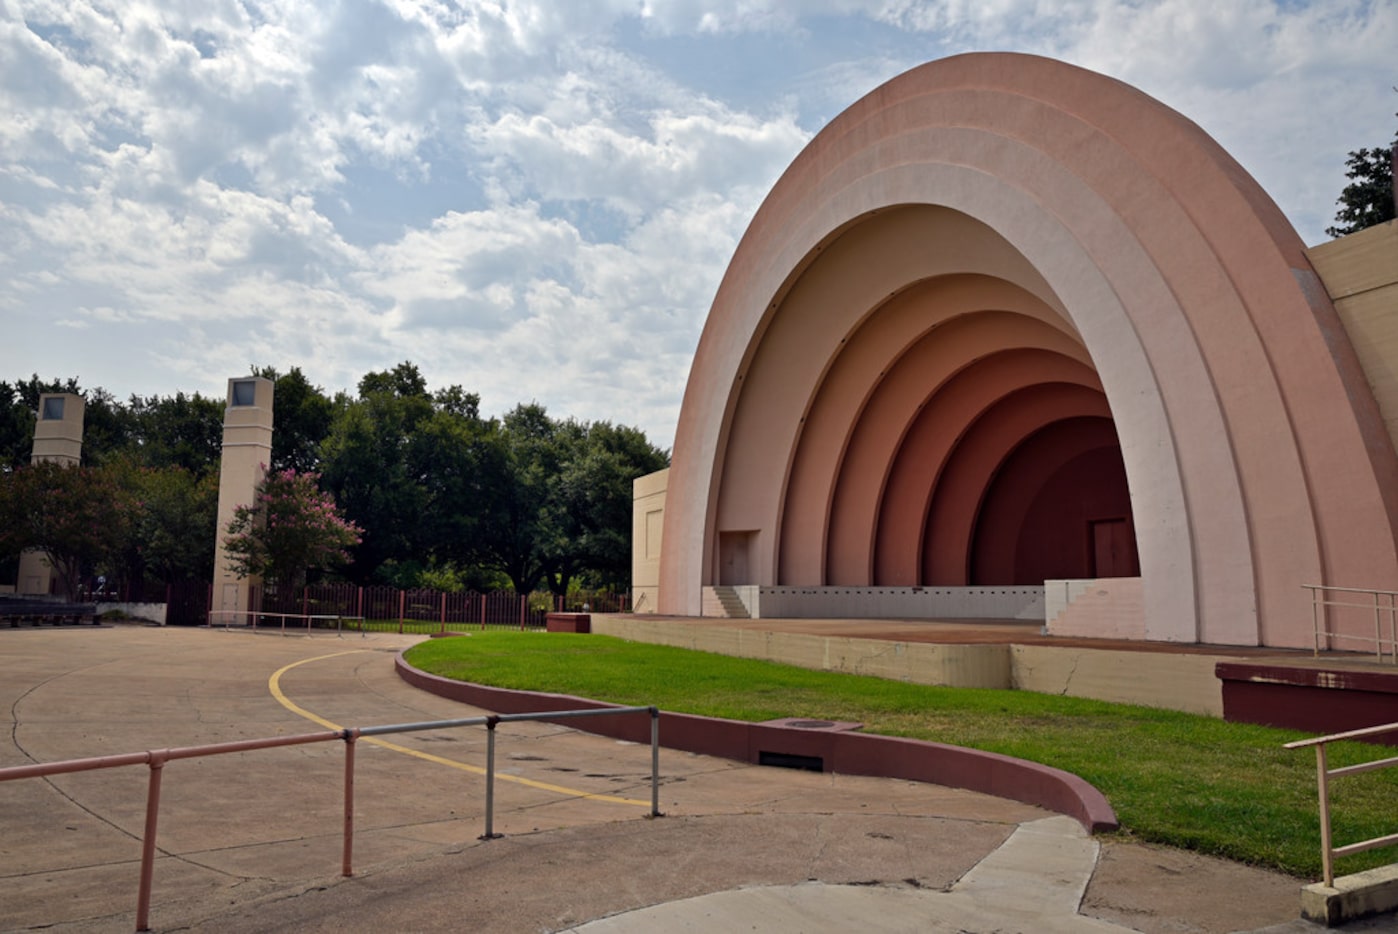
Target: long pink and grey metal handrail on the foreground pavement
(157, 760)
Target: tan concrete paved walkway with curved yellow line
(252, 841)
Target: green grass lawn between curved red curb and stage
(1186, 781)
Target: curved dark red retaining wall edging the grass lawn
(839, 752)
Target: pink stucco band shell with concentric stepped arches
(1003, 205)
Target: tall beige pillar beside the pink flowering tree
(247, 457)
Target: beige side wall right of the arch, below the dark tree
(1361, 273)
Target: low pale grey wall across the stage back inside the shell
(902, 603)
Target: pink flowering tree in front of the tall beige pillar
(290, 529)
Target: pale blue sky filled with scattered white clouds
(532, 201)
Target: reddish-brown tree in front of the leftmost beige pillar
(76, 515)
